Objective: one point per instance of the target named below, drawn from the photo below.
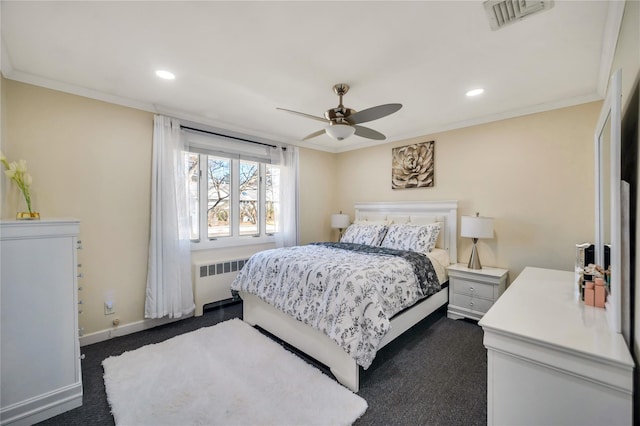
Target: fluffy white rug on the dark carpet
(227, 374)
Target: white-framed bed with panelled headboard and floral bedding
(343, 348)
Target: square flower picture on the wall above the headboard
(412, 166)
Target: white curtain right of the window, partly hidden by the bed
(287, 159)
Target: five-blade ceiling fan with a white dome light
(344, 122)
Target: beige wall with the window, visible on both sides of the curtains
(91, 160)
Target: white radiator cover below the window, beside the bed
(212, 281)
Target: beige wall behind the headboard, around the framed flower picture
(533, 174)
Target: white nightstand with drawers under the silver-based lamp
(473, 291)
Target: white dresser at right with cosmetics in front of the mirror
(551, 359)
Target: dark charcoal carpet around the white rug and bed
(434, 374)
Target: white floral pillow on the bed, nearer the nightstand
(418, 238)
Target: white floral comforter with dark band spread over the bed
(347, 291)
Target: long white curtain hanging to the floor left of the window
(169, 288)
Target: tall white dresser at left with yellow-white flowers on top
(40, 354)
